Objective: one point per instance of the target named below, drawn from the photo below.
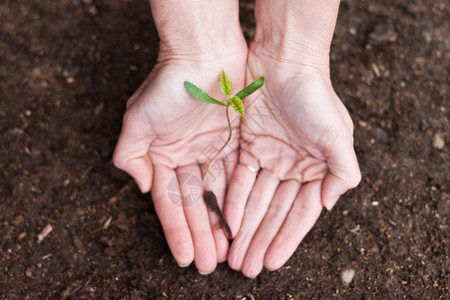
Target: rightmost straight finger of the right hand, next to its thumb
(302, 216)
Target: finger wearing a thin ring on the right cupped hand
(241, 184)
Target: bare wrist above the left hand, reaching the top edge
(197, 29)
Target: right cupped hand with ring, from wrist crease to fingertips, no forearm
(299, 136)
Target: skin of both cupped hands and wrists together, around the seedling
(298, 131)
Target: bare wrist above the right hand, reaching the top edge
(296, 32)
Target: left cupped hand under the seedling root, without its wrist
(166, 139)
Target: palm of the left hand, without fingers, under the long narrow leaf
(180, 127)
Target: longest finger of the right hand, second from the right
(272, 222)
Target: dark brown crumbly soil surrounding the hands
(66, 70)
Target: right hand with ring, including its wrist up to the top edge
(297, 132)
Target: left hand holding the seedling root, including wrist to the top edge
(165, 130)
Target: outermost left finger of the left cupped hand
(171, 215)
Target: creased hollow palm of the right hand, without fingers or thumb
(281, 142)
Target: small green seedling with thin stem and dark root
(235, 102)
